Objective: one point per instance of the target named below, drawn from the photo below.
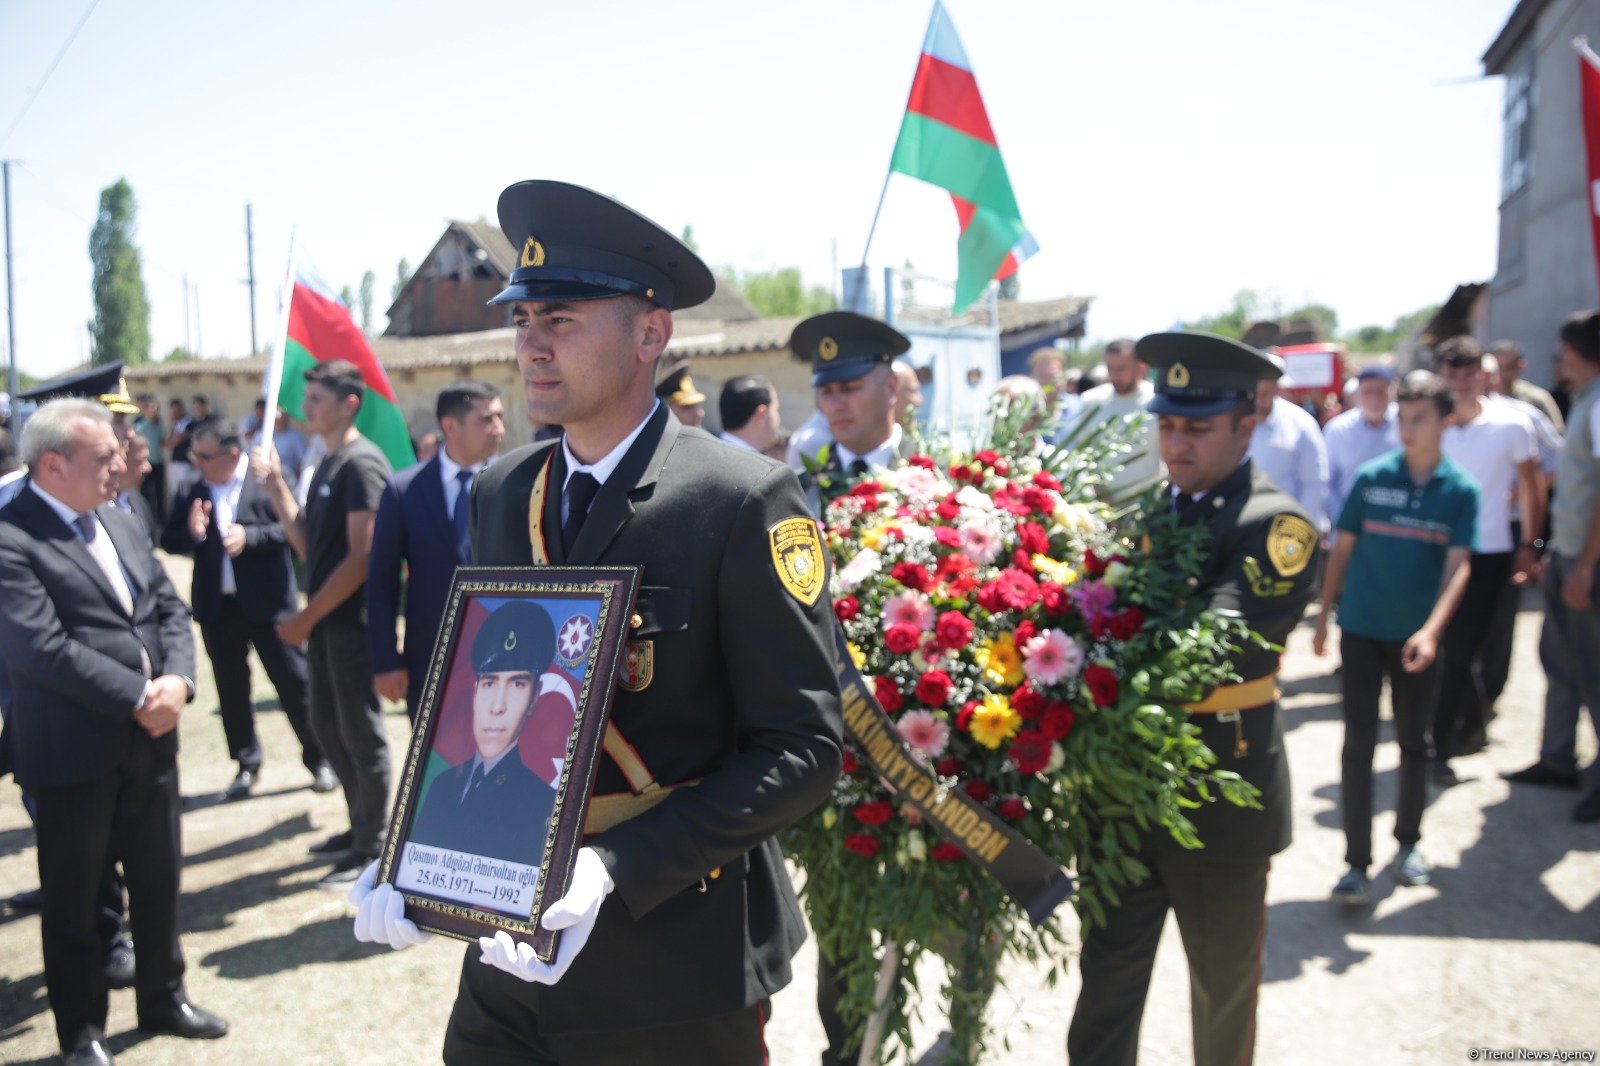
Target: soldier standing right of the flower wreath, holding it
(1263, 566)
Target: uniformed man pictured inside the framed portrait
(492, 804)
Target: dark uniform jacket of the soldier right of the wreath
(1242, 577)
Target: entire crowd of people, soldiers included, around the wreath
(1439, 497)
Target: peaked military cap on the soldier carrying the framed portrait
(574, 244)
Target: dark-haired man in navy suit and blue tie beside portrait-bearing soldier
(420, 539)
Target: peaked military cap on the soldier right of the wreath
(1201, 374)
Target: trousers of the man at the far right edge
(1570, 652)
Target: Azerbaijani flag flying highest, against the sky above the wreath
(946, 142)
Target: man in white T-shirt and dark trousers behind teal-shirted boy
(1497, 447)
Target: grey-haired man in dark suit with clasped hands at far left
(100, 659)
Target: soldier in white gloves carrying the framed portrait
(687, 910)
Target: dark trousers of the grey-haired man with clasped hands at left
(129, 817)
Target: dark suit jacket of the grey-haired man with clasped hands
(73, 652)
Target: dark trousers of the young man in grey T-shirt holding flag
(350, 727)
